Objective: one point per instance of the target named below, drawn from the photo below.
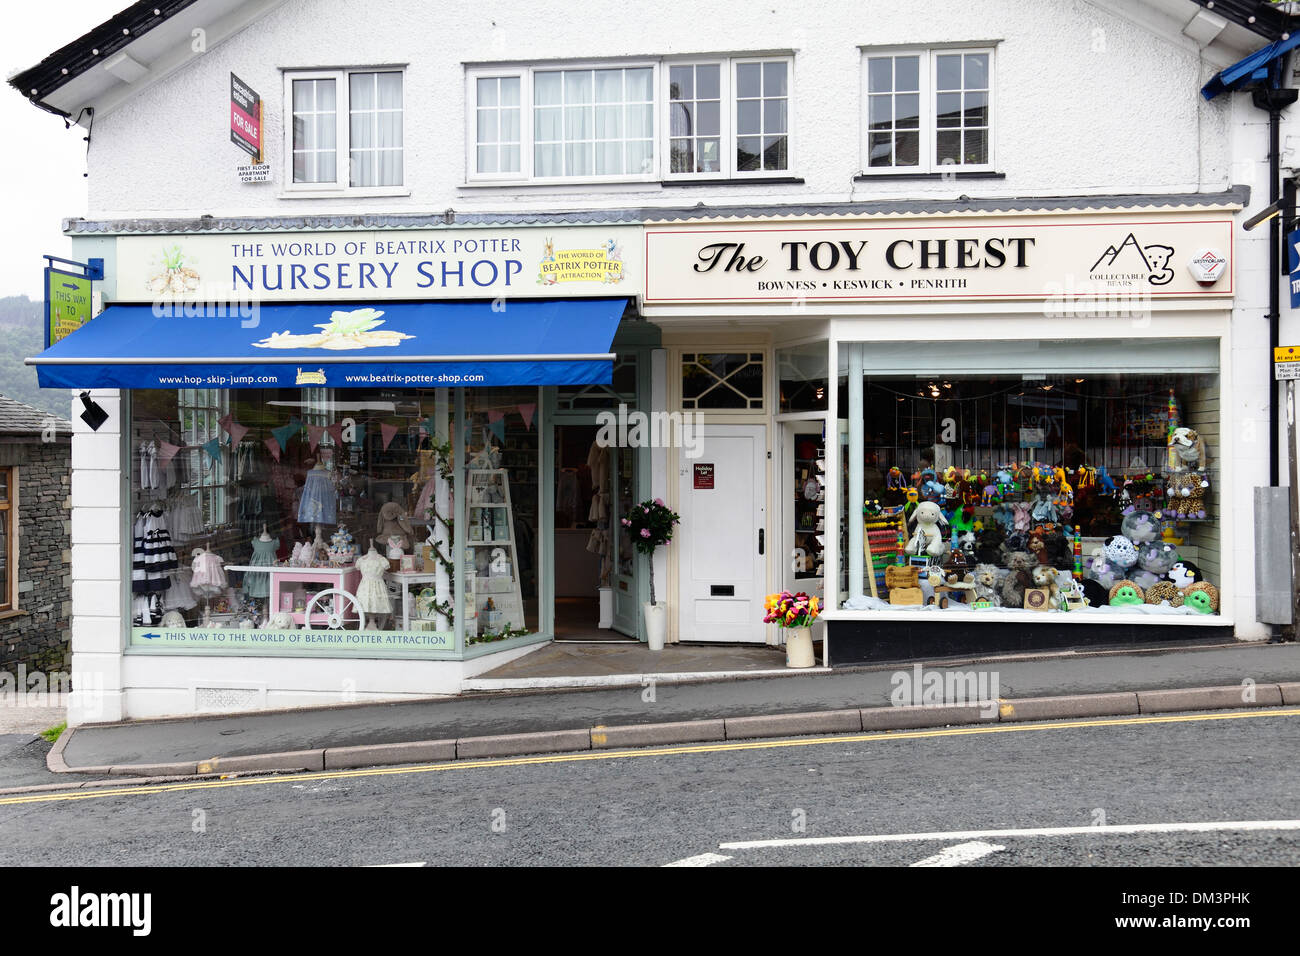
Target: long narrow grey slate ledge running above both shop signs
(1236, 196)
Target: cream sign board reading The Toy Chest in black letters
(950, 258)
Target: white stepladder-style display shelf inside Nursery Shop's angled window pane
(493, 595)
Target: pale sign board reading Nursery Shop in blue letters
(380, 265)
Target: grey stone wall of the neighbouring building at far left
(40, 635)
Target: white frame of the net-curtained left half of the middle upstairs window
(527, 124)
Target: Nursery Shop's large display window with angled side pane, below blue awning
(322, 522)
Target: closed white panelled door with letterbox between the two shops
(723, 538)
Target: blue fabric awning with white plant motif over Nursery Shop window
(339, 345)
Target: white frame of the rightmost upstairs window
(929, 113)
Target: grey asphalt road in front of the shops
(673, 804)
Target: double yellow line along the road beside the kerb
(151, 790)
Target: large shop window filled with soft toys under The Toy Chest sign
(1093, 491)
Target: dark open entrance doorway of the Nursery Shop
(588, 573)
